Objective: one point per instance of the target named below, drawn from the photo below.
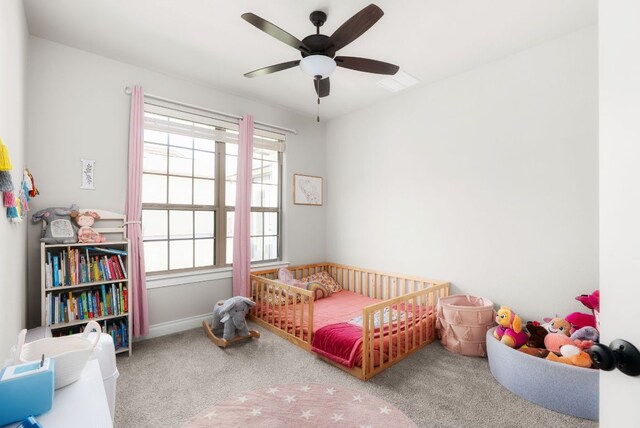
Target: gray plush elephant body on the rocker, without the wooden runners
(229, 317)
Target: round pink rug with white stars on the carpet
(302, 405)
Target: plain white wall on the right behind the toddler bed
(487, 179)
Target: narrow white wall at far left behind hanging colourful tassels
(13, 60)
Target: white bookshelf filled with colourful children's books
(82, 282)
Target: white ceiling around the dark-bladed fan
(206, 41)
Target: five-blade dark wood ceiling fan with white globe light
(318, 50)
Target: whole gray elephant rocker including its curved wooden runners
(229, 324)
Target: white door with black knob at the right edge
(619, 200)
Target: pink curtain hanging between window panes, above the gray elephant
(241, 232)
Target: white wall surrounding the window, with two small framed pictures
(78, 109)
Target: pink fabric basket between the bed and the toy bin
(463, 322)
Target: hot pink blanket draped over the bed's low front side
(338, 342)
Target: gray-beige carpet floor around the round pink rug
(169, 380)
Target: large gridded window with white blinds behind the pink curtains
(188, 191)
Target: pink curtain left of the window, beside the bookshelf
(133, 211)
